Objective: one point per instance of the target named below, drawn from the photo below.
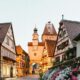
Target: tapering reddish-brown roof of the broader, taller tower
(49, 29)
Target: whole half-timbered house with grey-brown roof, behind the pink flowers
(66, 45)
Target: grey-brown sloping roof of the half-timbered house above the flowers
(72, 27)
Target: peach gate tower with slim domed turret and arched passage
(35, 50)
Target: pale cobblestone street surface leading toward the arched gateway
(29, 77)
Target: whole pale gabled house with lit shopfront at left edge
(7, 51)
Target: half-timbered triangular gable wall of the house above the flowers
(63, 40)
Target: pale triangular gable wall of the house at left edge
(9, 41)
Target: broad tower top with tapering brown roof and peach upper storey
(49, 32)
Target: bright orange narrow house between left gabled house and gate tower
(22, 59)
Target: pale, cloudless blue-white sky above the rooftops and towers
(25, 14)
